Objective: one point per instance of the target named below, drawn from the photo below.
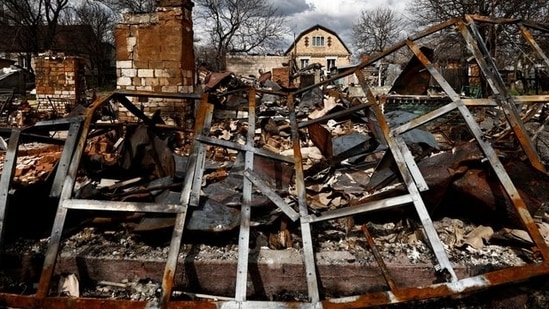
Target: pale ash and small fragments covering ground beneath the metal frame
(402, 242)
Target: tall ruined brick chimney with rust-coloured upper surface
(154, 52)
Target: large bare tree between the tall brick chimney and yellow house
(239, 26)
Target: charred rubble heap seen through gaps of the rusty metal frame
(342, 164)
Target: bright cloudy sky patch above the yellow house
(337, 15)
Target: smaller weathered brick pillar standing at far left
(58, 78)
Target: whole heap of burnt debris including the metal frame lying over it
(309, 170)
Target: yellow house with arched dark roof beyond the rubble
(319, 44)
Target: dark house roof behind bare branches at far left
(70, 39)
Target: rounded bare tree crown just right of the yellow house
(376, 30)
